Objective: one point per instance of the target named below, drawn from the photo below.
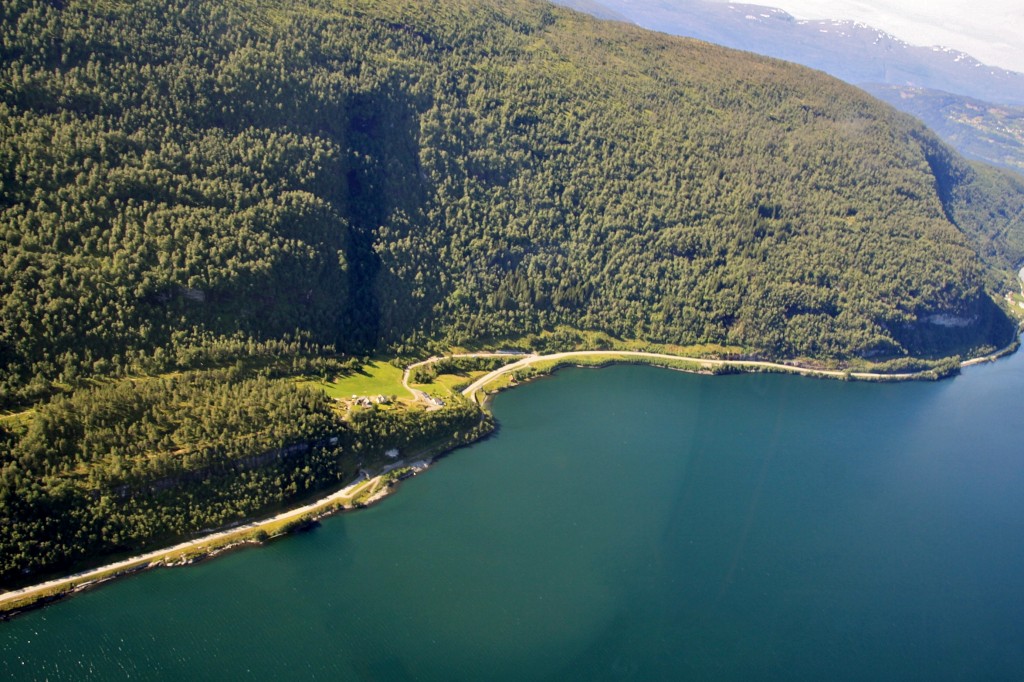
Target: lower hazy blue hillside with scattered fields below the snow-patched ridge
(983, 131)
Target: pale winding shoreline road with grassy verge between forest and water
(369, 490)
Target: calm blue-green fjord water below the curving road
(624, 524)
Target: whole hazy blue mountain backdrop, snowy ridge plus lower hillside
(946, 89)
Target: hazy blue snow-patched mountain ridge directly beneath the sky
(850, 51)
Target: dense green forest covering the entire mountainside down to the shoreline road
(199, 198)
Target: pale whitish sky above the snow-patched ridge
(992, 31)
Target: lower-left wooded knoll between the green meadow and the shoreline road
(134, 463)
